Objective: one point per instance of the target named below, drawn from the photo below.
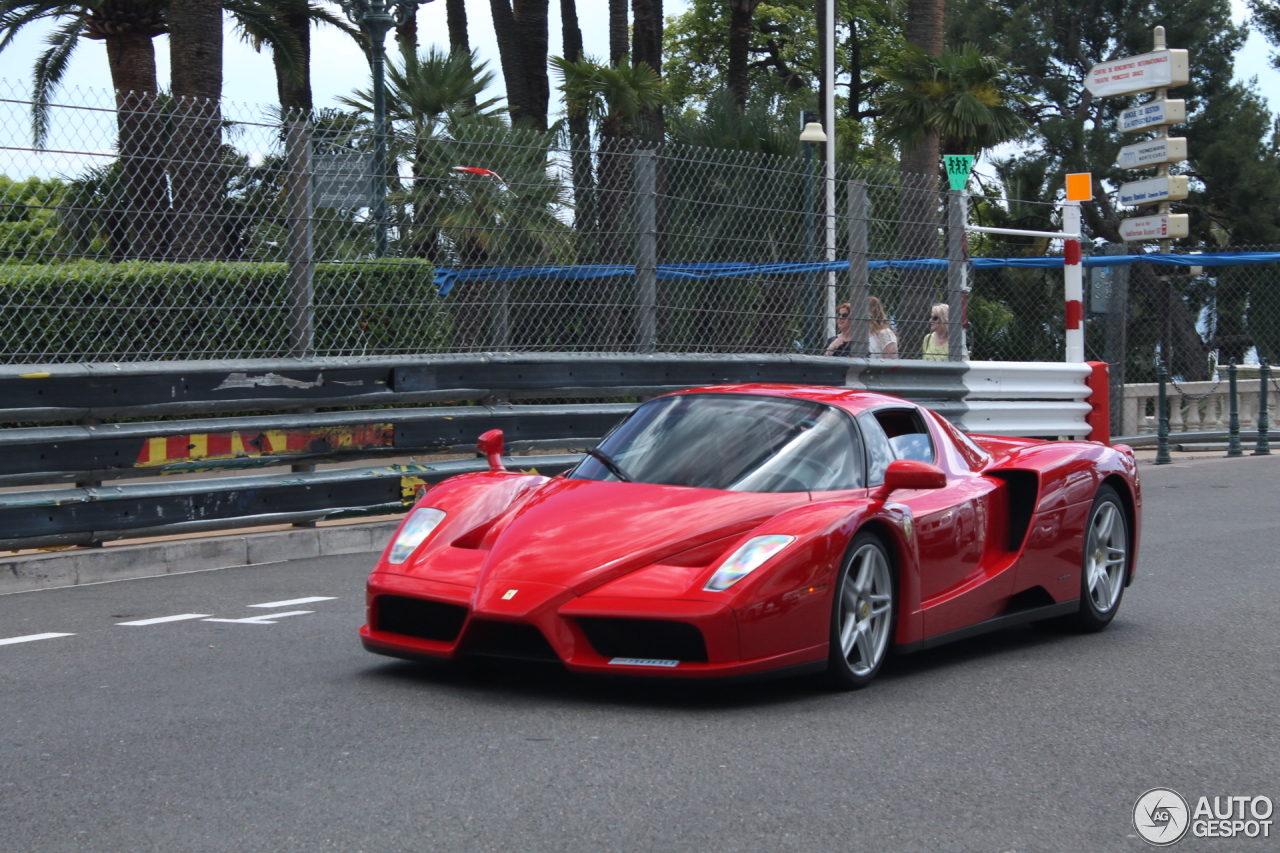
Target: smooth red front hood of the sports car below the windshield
(580, 535)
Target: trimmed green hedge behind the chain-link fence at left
(143, 311)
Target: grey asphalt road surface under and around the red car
(286, 736)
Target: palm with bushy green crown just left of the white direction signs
(958, 101)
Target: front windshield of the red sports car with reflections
(738, 444)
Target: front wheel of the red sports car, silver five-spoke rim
(863, 614)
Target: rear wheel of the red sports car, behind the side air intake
(1105, 564)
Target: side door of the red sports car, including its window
(952, 523)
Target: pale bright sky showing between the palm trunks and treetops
(339, 67)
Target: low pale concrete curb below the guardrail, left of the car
(28, 573)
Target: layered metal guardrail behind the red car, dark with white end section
(533, 399)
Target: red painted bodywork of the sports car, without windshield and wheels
(554, 555)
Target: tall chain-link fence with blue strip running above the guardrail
(147, 229)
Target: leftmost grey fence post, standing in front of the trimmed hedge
(301, 245)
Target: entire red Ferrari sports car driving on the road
(747, 530)
